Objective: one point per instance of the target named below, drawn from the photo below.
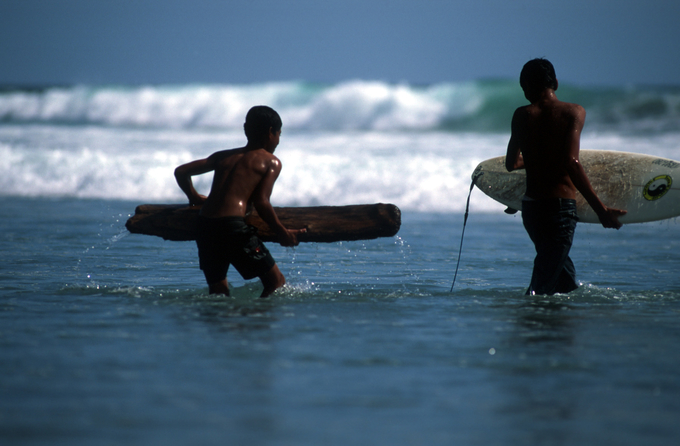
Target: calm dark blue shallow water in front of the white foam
(111, 338)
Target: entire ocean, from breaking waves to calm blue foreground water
(111, 338)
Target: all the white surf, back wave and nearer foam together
(352, 142)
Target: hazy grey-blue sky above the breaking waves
(601, 42)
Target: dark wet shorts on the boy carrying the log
(229, 240)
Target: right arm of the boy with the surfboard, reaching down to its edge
(609, 217)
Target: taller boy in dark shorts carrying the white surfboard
(545, 141)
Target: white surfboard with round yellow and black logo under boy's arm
(646, 186)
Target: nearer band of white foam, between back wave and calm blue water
(416, 171)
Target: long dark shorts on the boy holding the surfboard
(551, 224)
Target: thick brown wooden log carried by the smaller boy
(324, 223)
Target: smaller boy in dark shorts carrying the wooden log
(243, 178)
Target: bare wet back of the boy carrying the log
(239, 176)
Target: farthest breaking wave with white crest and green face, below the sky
(354, 105)
